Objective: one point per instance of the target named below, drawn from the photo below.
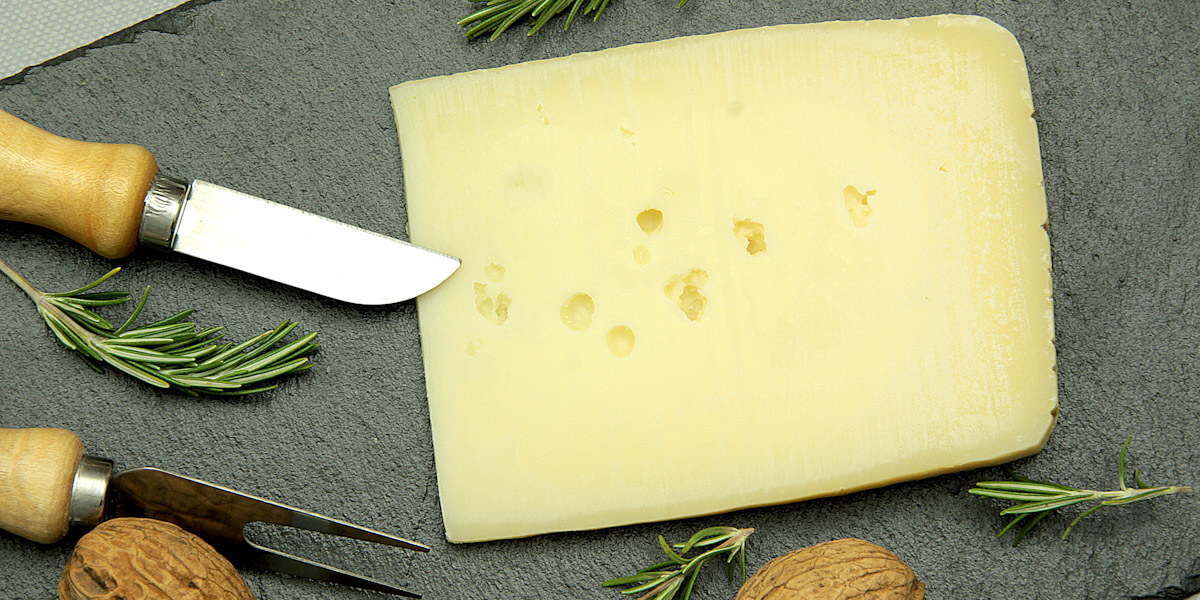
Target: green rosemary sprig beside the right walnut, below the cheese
(677, 575)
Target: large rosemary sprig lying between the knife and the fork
(167, 353)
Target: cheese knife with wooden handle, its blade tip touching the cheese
(112, 199)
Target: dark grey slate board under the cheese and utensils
(289, 101)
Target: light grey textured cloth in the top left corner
(39, 31)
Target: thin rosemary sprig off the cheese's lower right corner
(1039, 499)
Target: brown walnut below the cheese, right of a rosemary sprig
(836, 571)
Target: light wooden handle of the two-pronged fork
(38, 471)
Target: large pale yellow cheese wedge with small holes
(730, 271)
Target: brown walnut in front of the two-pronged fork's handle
(148, 560)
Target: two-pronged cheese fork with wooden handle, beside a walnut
(49, 485)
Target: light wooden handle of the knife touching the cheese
(89, 193)
